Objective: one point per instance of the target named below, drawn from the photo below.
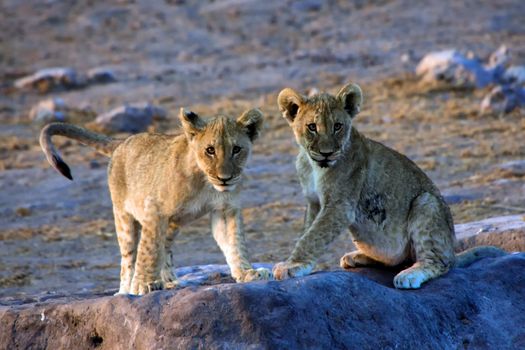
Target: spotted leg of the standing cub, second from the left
(151, 252)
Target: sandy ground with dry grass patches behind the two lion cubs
(57, 236)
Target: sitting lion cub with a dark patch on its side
(393, 210)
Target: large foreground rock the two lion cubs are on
(477, 307)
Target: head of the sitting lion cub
(322, 123)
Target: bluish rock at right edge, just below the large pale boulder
(503, 99)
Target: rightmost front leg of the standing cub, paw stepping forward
(227, 228)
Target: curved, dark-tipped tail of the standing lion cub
(103, 144)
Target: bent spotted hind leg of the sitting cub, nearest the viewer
(432, 236)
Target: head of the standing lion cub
(222, 145)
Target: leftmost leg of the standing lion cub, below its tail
(127, 234)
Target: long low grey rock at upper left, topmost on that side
(50, 79)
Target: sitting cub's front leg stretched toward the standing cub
(329, 223)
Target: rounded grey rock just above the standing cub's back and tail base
(130, 118)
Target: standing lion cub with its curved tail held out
(160, 182)
